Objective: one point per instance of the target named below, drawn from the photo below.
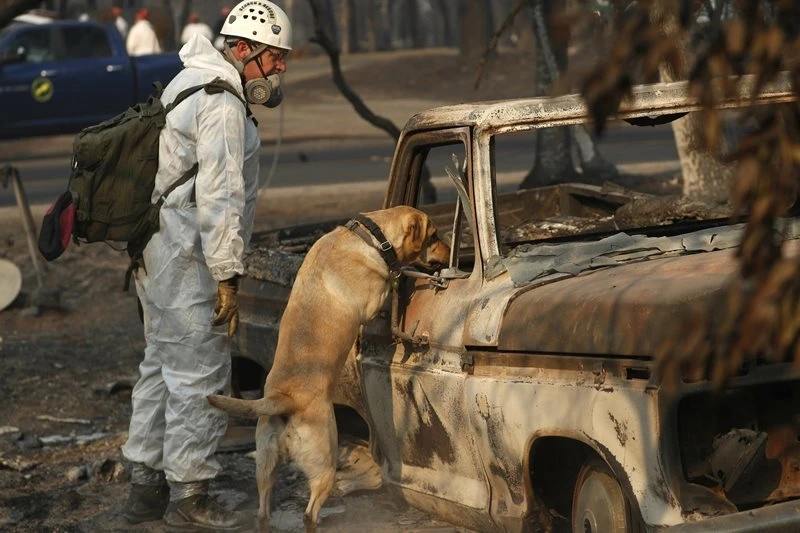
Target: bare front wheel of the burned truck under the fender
(598, 503)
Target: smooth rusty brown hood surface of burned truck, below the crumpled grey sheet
(625, 310)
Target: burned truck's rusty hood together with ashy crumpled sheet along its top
(626, 309)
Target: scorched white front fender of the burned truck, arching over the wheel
(618, 418)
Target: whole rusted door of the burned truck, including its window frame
(415, 390)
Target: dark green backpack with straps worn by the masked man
(114, 167)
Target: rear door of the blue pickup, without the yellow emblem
(93, 80)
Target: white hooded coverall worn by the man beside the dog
(204, 227)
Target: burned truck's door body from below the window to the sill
(415, 399)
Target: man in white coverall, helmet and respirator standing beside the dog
(188, 283)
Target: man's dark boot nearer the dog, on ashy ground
(198, 511)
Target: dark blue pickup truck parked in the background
(60, 76)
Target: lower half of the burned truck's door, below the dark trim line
(416, 404)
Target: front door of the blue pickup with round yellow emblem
(26, 88)
